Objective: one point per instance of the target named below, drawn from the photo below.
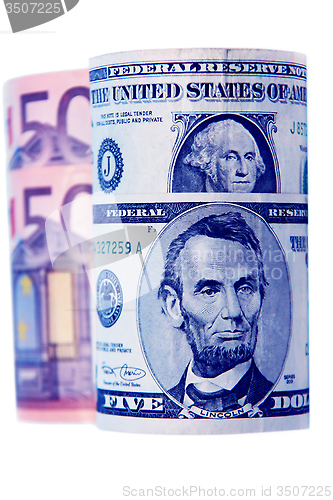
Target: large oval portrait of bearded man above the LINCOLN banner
(214, 306)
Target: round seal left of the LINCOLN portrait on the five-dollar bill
(109, 298)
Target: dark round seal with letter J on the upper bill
(109, 165)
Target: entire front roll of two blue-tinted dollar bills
(200, 238)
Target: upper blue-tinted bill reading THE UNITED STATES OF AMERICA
(199, 120)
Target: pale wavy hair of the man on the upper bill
(206, 145)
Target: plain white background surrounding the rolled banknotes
(44, 461)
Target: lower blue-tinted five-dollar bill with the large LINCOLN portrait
(201, 316)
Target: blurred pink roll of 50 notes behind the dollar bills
(49, 178)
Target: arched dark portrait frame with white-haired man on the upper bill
(225, 153)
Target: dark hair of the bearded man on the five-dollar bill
(228, 226)
